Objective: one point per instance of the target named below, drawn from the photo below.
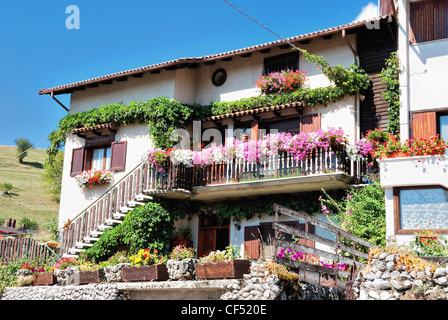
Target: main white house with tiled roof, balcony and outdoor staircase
(227, 76)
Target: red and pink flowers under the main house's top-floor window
(277, 82)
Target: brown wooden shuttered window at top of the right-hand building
(428, 20)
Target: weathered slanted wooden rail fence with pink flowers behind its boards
(335, 247)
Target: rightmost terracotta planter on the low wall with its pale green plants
(222, 265)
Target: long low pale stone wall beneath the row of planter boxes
(260, 284)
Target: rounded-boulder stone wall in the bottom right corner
(398, 276)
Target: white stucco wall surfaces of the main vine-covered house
(195, 86)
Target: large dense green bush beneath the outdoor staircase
(146, 227)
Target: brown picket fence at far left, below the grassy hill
(13, 249)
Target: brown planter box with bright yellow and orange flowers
(146, 266)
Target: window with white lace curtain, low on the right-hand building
(420, 208)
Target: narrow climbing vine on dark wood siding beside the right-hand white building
(390, 76)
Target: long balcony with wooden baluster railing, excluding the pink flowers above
(282, 173)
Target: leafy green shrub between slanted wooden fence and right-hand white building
(362, 212)
